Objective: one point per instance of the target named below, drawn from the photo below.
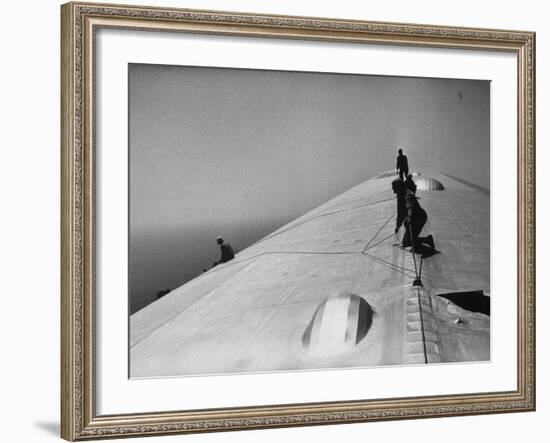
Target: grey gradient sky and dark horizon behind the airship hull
(239, 153)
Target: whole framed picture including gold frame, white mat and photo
(282, 221)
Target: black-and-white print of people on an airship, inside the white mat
(283, 221)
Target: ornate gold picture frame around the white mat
(80, 419)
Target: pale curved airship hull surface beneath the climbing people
(332, 290)
